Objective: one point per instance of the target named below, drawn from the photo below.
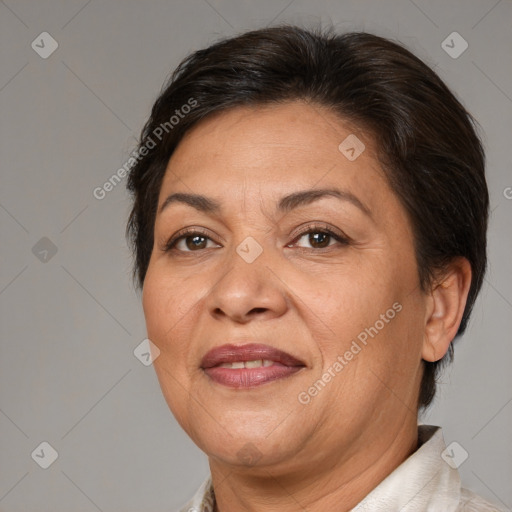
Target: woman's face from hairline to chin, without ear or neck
(261, 273)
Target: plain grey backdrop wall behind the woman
(71, 320)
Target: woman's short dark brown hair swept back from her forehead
(427, 141)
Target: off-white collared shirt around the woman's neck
(424, 482)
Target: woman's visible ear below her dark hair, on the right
(446, 304)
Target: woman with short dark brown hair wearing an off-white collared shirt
(309, 231)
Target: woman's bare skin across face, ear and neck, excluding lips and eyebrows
(267, 451)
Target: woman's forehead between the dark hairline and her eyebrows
(291, 145)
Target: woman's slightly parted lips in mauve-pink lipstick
(248, 366)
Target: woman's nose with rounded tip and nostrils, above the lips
(248, 290)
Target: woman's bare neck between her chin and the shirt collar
(339, 483)
